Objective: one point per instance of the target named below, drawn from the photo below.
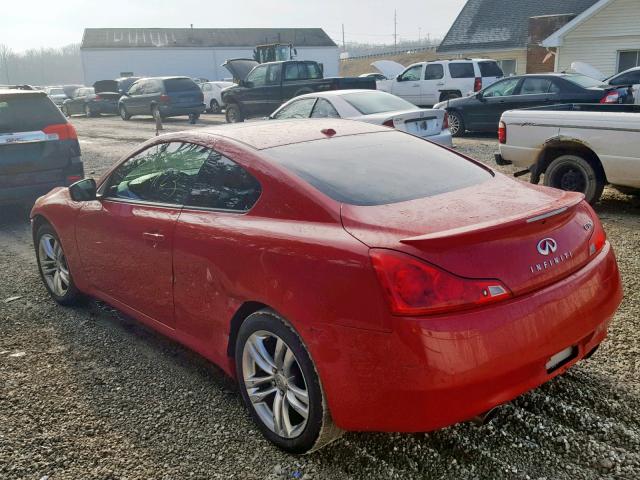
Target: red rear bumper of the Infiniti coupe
(429, 373)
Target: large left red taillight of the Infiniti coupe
(414, 287)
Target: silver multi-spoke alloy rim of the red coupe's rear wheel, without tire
(275, 384)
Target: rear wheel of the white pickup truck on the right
(575, 174)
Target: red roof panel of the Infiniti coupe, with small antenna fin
(265, 134)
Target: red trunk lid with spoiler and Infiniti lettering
(524, 236)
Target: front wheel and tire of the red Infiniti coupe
(53, 267)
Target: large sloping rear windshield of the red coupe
(378, 168)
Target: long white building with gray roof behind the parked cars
(109, 53)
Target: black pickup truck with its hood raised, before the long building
(263, 87)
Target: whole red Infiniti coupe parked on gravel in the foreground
(350, 276)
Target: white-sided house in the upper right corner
(606, 36)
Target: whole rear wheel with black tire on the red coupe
(276, 374)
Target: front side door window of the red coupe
(163, 173)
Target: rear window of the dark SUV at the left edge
(28, 113)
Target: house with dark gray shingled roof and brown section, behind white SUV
(510, 31)
